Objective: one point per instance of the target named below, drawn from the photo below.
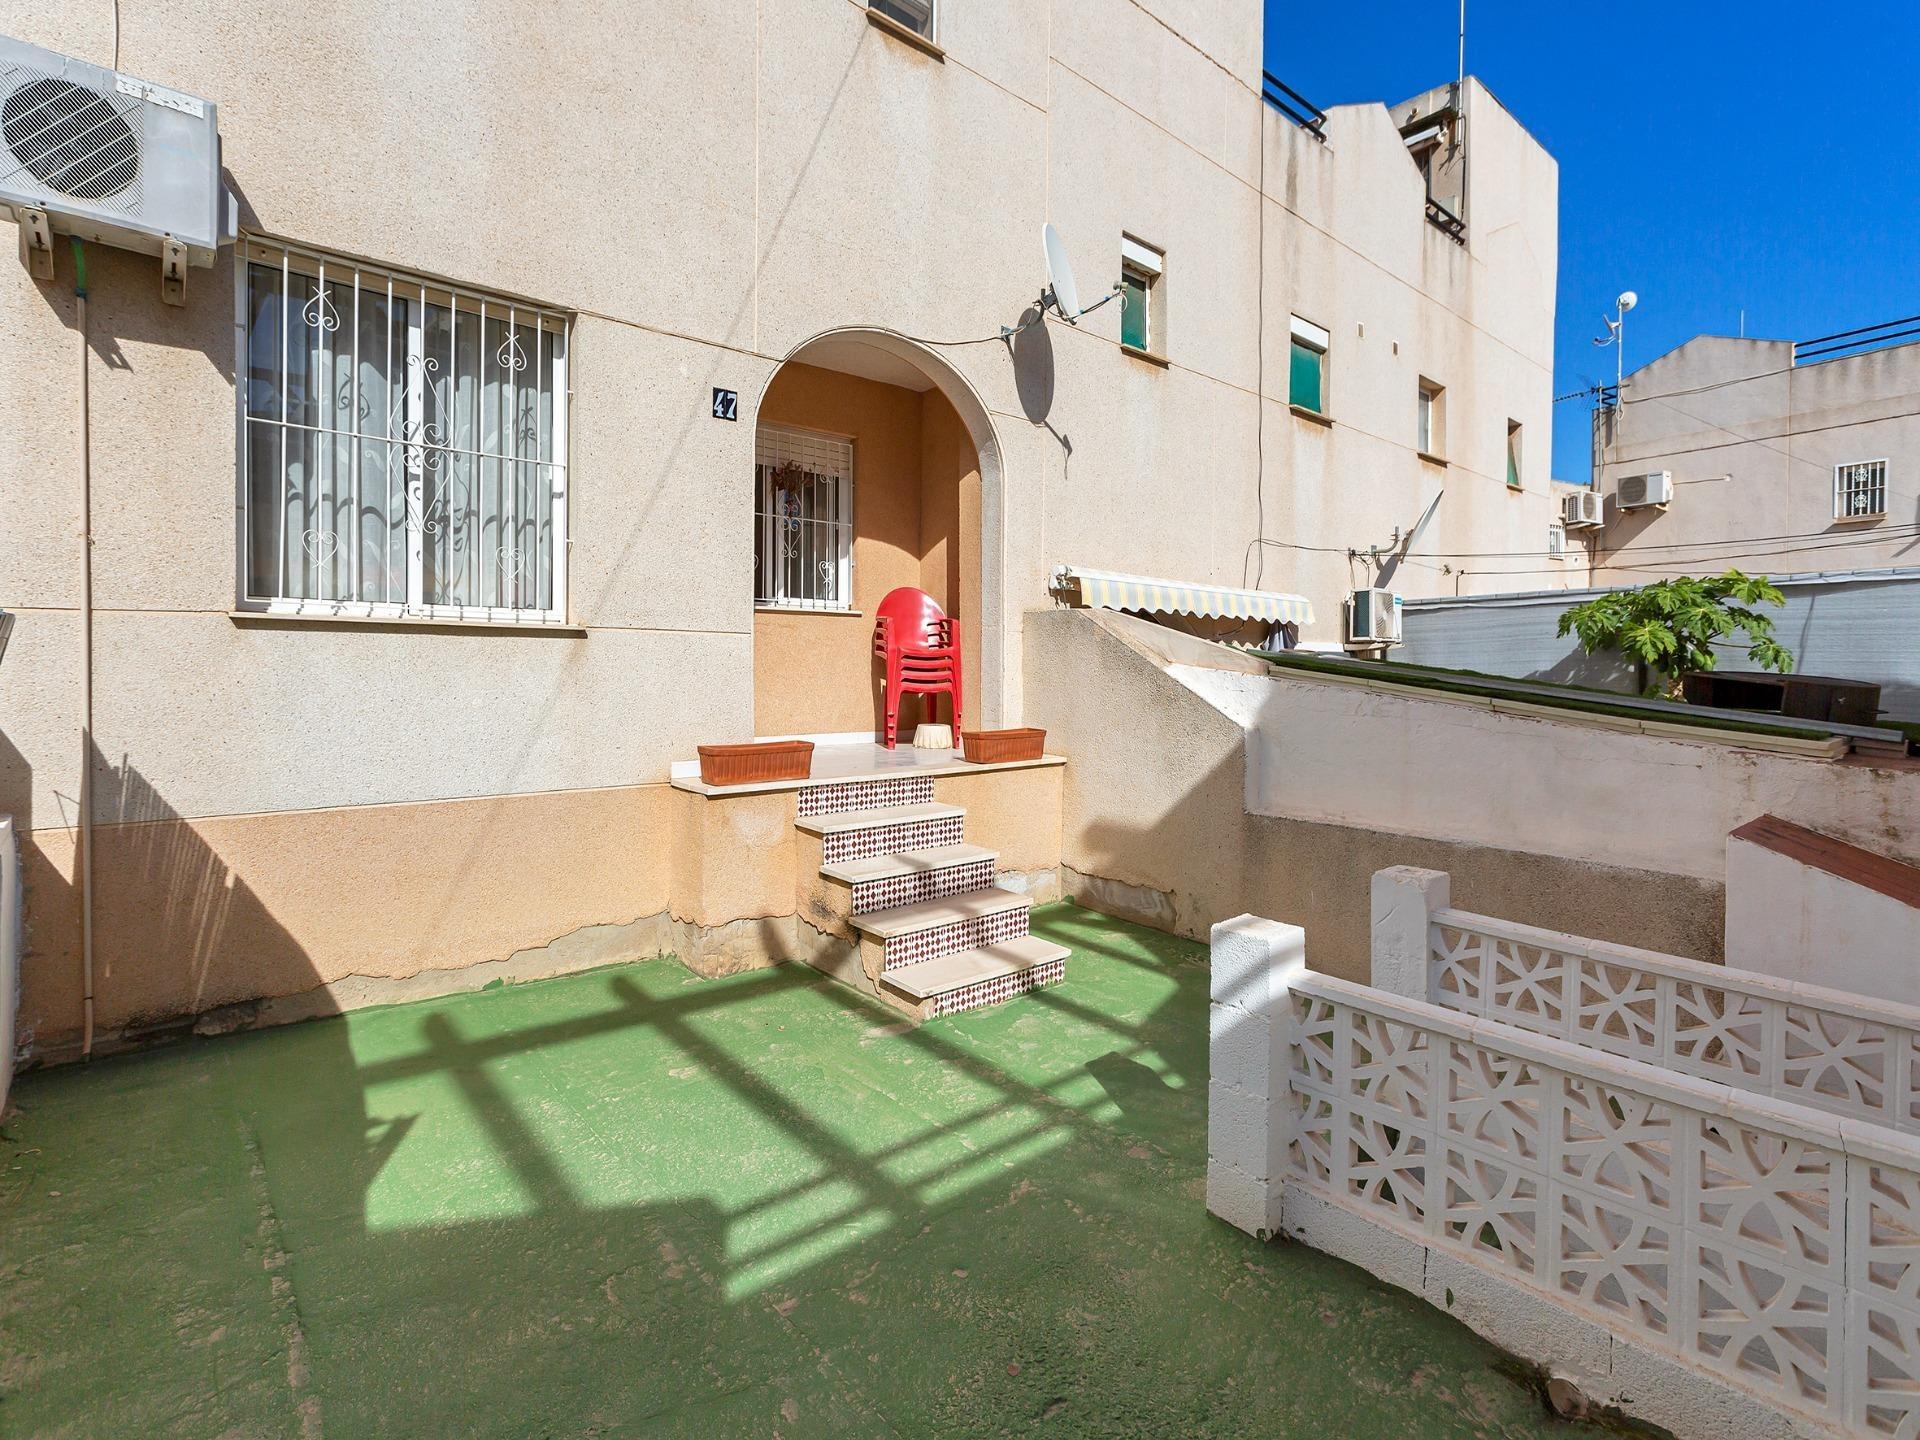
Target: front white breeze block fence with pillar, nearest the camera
(1702, 1257)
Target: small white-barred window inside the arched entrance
(804, 521)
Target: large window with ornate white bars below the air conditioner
(402, 444)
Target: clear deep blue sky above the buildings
(1714, 156)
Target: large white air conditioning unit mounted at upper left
(105, 156)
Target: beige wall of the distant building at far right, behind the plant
(1752, 443)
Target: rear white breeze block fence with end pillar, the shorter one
(1827, 1049)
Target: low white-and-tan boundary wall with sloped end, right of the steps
(1189, 802)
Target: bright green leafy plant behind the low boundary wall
(1669, 627)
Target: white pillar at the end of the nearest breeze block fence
(1255, 965)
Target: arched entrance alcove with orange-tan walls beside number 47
(876, 468)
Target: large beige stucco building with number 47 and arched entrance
(581, 377)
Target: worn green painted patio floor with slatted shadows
(640, 1203)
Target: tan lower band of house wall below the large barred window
(197, 915)
